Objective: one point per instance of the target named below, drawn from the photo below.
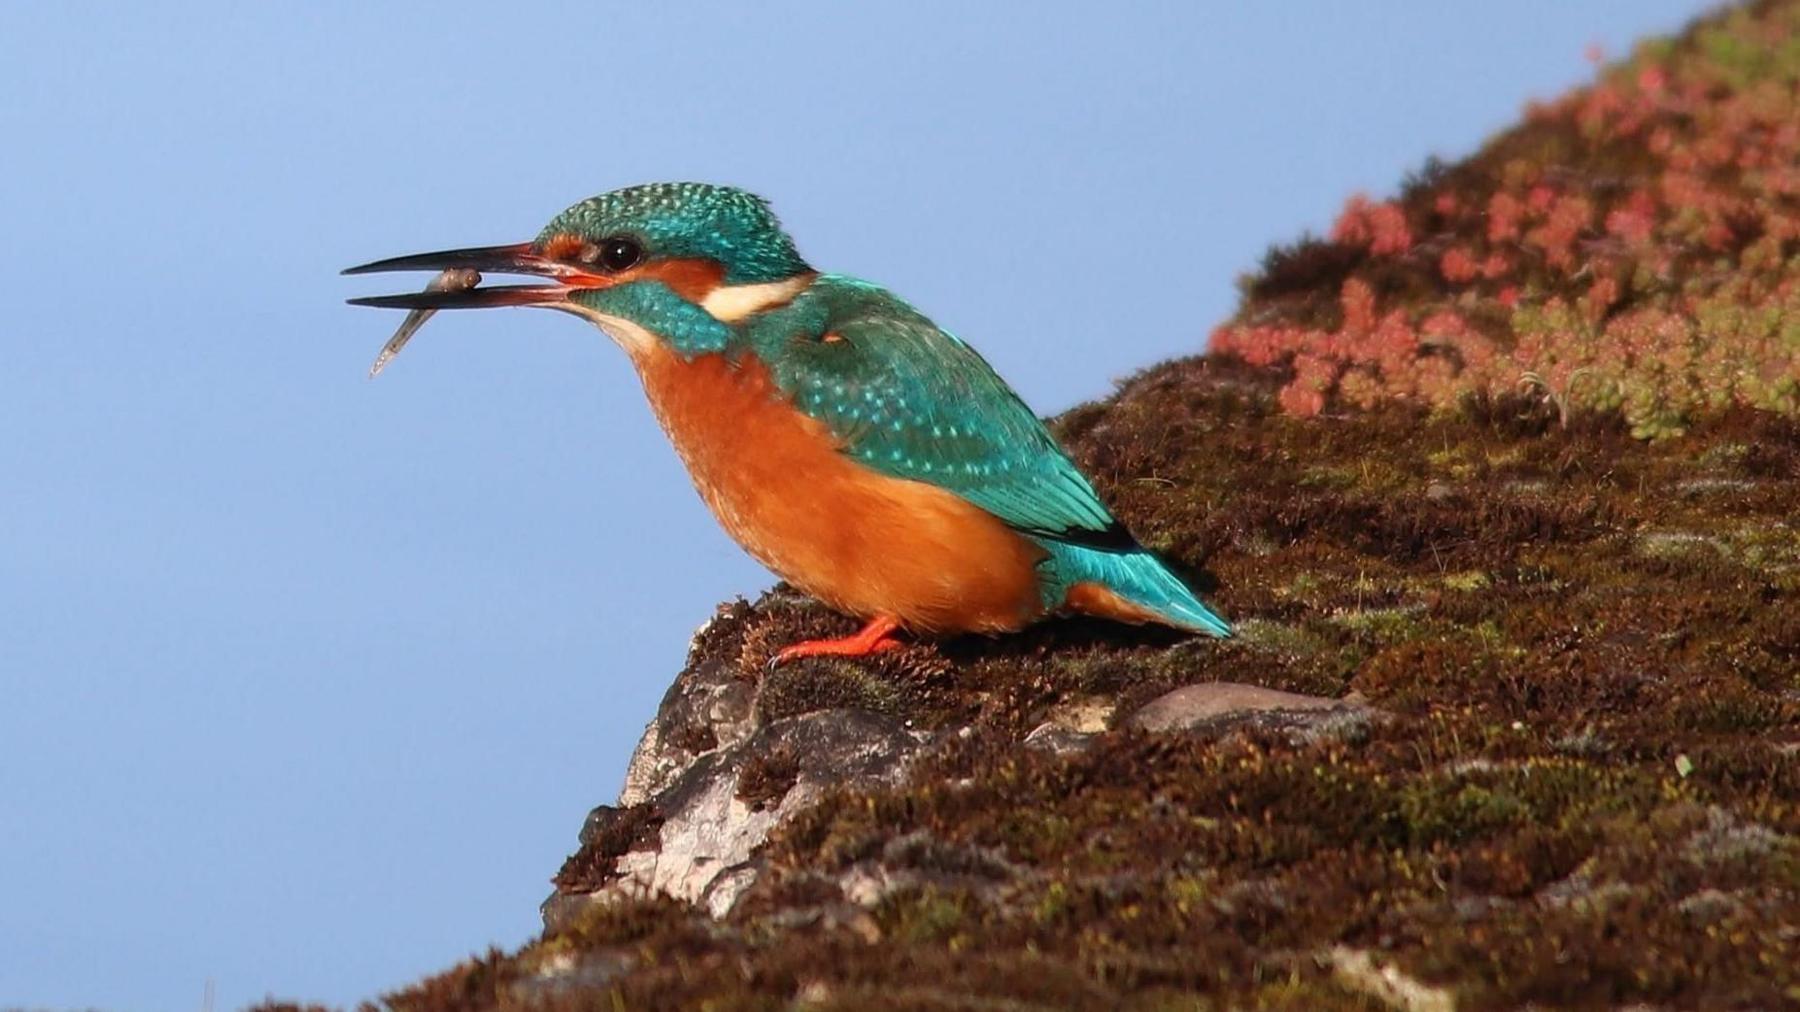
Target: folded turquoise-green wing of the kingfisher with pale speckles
(912, 401)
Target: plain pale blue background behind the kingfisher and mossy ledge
(307, 682)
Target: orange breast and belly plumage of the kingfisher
(845, 534)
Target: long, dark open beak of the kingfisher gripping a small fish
(471, 264)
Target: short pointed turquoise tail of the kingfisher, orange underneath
(1131, 586)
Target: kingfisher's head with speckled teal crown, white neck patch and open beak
(652, 264)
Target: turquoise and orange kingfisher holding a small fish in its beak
(859, 451)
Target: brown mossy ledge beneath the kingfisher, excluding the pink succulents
(1574, 777)
